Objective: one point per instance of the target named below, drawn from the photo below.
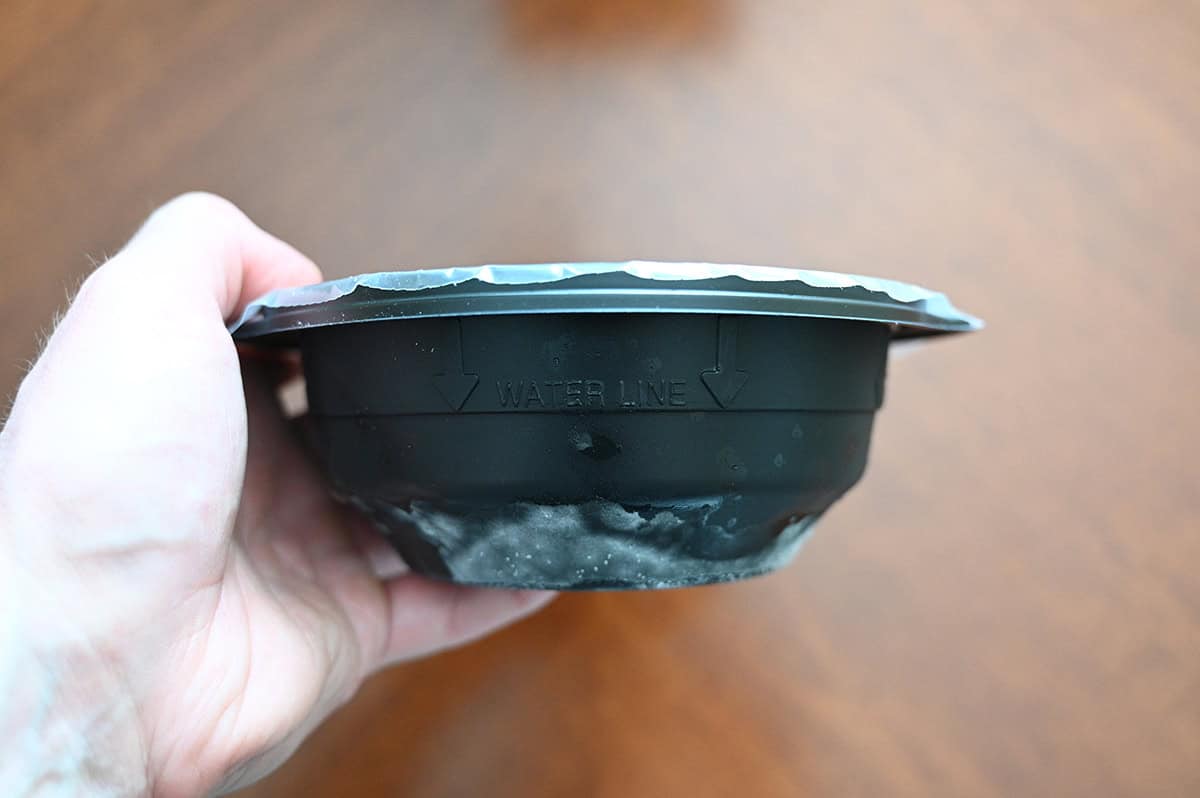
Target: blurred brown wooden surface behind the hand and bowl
(1007, 605)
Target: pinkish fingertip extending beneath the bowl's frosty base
(427, 616)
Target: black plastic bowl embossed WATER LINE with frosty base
(596, 431)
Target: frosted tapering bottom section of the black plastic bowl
(592, 545)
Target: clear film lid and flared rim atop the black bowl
(634, 287)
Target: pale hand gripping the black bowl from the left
(181, 601)
